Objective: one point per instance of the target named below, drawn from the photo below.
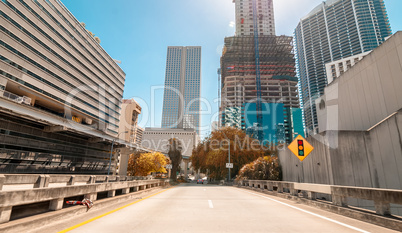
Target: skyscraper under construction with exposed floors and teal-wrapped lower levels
(259, 84)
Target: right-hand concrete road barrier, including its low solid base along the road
(306, 193)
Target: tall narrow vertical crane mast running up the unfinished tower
(260, 132)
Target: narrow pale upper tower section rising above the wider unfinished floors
(245, 14)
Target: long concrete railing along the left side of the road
(56, 195)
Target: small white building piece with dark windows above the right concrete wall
(337, 68)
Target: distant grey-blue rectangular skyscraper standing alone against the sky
(181, 101)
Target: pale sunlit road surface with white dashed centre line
(211, 208)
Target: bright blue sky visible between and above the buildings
(138, 33)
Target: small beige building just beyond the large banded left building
(130, 110)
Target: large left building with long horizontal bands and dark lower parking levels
(60, 92)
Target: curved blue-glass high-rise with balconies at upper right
(334, 30)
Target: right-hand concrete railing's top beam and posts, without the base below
(382, 197)
